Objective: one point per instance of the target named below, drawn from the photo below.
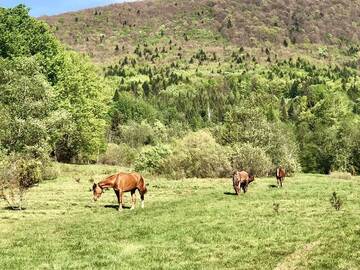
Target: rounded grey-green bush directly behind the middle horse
(251, 159)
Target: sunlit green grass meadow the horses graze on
(186, 224)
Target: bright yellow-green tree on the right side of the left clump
(81, 136)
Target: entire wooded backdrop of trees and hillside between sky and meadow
(188, 88)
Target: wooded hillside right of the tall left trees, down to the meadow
(284, 71)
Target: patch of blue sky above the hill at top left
(51, 7)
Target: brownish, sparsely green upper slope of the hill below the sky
(289, 27)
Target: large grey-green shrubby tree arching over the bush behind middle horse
(250, 126)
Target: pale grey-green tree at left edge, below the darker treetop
(26, 103)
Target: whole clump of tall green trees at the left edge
(50, 98)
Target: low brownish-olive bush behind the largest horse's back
(121, 154)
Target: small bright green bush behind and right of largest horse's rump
(151, 158)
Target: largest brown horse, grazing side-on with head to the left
(122, 182)
